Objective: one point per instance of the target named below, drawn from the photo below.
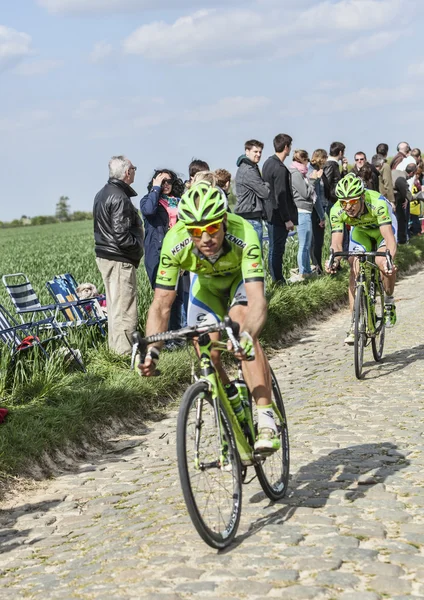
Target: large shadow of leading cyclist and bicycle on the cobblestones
(355, 470)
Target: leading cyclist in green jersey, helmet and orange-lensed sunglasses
(222, 252)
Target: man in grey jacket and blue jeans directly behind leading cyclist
(251, 190)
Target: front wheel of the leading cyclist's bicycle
(213, 495)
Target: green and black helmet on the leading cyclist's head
(202, 202)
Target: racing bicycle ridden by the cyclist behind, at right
(368, 312)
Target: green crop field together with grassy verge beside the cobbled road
(51, 406)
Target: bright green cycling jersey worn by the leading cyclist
(215, 284)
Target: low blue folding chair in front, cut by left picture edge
(20, 337)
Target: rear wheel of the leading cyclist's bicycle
(273, 471)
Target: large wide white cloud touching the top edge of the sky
(230, 37)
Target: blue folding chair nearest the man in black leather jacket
(78, 311)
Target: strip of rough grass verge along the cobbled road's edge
(50, 408)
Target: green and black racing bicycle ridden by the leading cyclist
(214, 449)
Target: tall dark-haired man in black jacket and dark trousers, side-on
(281, 211)
